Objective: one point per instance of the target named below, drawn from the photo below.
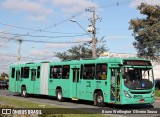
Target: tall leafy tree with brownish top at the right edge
(147, 31)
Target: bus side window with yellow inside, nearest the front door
(101, 71)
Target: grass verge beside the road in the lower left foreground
(15, 103)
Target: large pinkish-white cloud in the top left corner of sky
(32, 8)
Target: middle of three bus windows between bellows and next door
(57, 72)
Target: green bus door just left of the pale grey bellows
(33, 80)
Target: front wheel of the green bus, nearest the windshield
(100, 99)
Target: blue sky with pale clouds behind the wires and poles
(45, 27)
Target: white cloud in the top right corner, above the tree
(135, 3)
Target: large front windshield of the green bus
(137, 78)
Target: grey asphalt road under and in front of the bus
(83, 105)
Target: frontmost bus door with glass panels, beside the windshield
(115, 85)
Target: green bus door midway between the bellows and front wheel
(75, 82)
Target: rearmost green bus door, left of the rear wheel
(17, 83)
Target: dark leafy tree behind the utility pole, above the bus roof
(81, 51)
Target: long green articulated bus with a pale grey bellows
(103, 80)
